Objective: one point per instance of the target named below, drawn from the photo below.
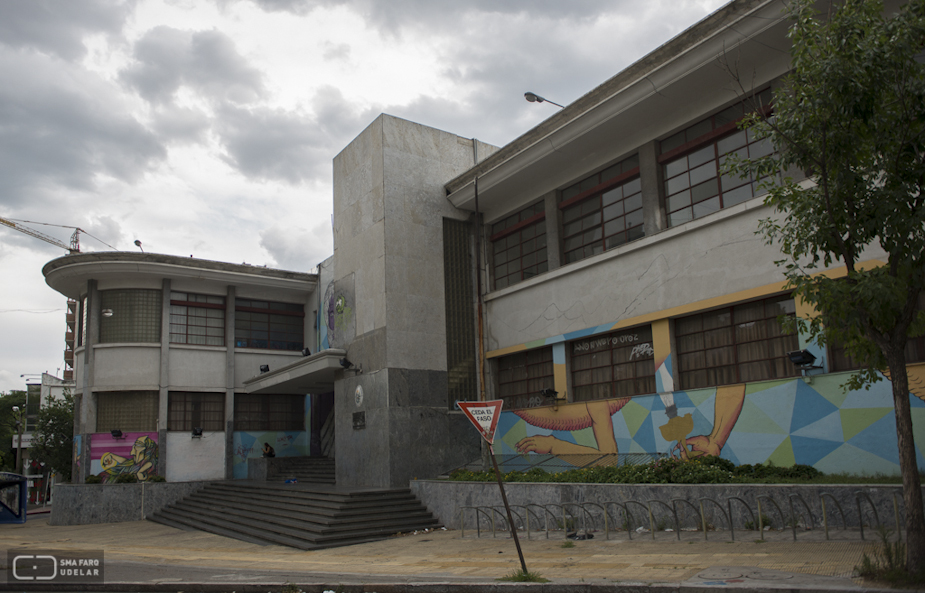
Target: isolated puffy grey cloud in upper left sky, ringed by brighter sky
(205, 61)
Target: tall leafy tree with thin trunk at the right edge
(851, 114)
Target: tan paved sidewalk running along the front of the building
(146, 556)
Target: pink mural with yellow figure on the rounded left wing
(134, 453)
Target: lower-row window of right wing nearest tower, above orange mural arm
(522, 376)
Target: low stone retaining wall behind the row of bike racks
(446, 498)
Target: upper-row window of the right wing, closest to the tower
(518, 246)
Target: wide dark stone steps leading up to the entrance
(303, 516)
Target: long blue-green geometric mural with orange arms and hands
(782, 422)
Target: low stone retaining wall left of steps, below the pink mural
(84, 504)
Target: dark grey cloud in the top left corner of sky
(58, 28)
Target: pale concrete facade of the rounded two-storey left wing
(163, 367)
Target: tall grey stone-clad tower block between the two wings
(388, 235)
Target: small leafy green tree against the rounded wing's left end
(53, 438)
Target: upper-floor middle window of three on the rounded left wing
(197, 319)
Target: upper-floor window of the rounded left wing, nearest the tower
(274, 326)
